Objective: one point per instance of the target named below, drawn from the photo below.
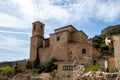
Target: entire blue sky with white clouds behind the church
(16, 17)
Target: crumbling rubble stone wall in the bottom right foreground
(79, 74)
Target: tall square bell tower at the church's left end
(36, 39)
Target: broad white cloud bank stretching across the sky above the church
(62, 11)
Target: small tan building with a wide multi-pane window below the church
(64, 71)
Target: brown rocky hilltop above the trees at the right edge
(111, 30)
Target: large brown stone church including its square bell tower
(66, 44)
